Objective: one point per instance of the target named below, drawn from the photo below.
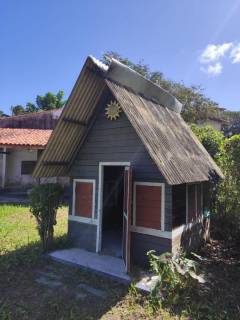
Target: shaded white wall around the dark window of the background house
(14, 161)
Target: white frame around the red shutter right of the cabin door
(156, 184)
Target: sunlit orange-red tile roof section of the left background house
(24, 137)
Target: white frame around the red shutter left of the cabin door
(78, 218)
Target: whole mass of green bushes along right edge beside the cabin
(225, 193)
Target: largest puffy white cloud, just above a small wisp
(213, 52)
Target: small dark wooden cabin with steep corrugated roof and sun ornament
(138, 174)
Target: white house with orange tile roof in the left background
(22, 140)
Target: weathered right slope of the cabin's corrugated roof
(179, 155)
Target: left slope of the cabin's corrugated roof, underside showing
(73, 122)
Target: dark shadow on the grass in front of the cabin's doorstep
(22, 297)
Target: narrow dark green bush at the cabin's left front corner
(45, 199)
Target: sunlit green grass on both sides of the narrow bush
(19, 239)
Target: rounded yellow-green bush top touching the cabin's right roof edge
(211, 139)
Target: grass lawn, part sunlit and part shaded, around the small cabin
(25, 294)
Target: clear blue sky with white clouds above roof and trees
(43, 44)
